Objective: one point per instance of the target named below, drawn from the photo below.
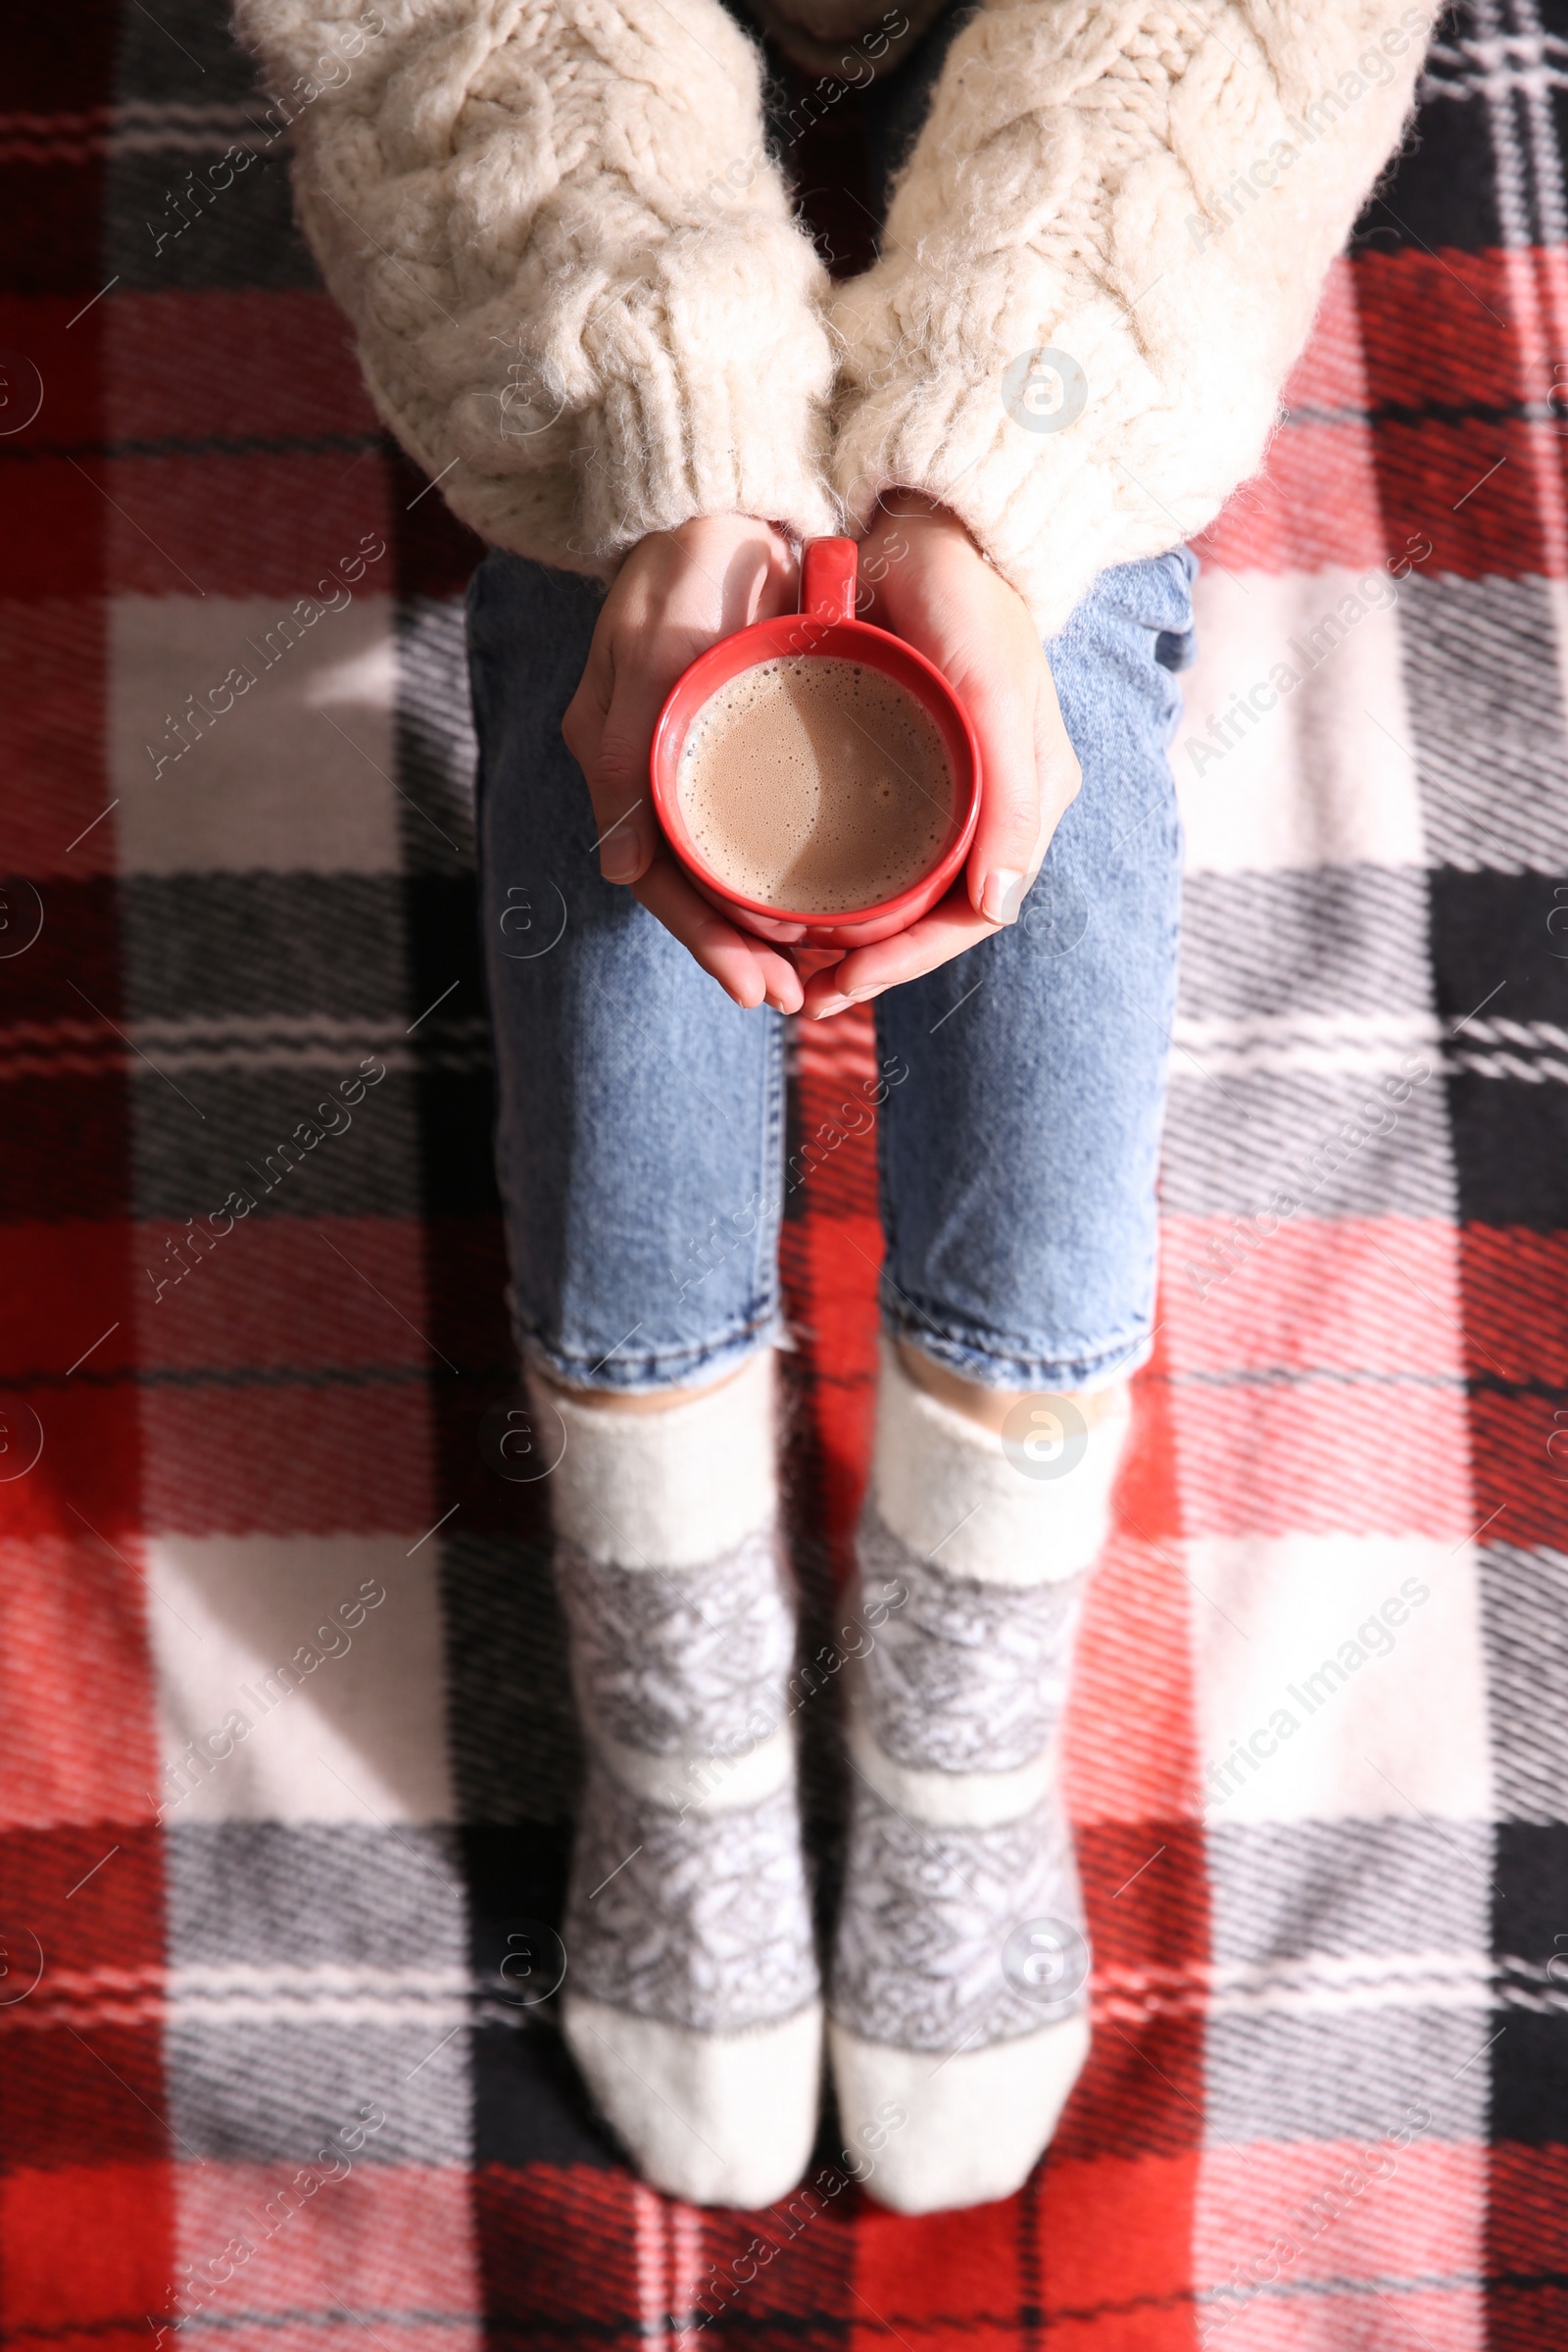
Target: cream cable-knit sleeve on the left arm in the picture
(575, 276)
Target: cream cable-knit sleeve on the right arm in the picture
(1101, 262)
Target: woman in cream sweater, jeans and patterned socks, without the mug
(584, 305)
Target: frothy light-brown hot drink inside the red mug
(817, 787)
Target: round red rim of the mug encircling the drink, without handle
(777, 634)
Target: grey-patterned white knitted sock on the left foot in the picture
(692, 1993)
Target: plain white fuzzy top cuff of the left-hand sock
(669, 1490)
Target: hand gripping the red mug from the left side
(674, 599)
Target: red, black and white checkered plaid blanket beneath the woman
(288, 1758)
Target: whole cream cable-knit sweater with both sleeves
(584, 305)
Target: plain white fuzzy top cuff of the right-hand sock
(949, 1490)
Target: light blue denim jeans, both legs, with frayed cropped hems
(1019, 1095)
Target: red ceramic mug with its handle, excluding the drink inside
(824, 629)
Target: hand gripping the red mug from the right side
(934, 589)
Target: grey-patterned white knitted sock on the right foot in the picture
(960, 1982)
